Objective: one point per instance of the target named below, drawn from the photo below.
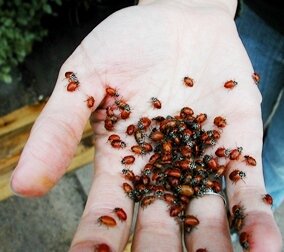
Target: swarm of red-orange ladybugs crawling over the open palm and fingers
(178, 169)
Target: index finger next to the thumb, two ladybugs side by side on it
(105, 195)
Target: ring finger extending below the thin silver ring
(212, 232)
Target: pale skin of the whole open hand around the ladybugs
(145, 51)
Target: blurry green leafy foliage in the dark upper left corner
(20, 27)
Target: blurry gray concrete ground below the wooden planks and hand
(49, 223)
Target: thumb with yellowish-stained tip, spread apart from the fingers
(58, 130)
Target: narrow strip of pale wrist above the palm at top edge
(229, 6)
